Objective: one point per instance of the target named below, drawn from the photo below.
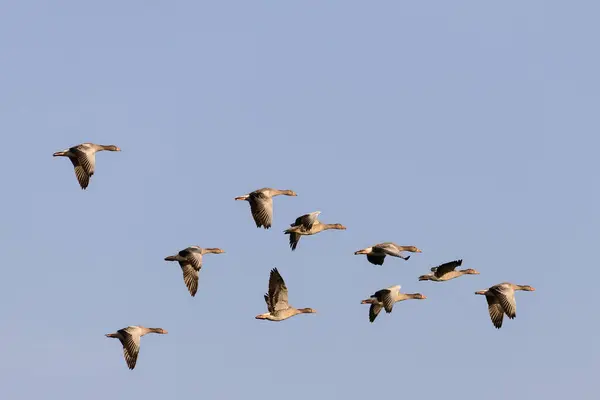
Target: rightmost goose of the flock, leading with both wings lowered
(501, 300)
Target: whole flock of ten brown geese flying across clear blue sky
(500, 297)
